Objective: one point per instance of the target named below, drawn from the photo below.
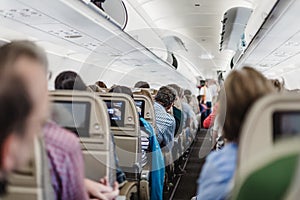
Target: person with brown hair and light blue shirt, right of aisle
(219, 167)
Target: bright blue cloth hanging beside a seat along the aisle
(157, 173)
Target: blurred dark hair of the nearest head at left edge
(15, 107)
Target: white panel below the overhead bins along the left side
(78, 38)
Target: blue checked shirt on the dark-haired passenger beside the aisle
(165, 124)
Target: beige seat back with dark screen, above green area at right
(270, 120)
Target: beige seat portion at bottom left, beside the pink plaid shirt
(33, 181)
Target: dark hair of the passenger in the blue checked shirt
(165, 96)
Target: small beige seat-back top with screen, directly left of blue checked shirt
(146, 108)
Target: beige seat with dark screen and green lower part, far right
(269, 151)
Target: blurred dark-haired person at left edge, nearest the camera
(16, 112)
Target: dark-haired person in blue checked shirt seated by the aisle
(164, 100)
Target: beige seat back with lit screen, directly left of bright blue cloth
(126, 129)
